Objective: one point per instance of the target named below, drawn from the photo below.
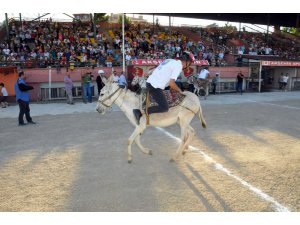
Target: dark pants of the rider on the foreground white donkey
(160, 98)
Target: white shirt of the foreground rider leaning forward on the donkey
(167, 70)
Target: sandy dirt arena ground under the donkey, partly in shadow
(247, 160)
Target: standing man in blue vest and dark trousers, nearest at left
(22, 97)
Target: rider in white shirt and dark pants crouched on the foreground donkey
(164, 75)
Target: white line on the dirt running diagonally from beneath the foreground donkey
(278, 207)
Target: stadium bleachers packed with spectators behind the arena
(44, 43)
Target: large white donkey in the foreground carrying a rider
(183, 114)
